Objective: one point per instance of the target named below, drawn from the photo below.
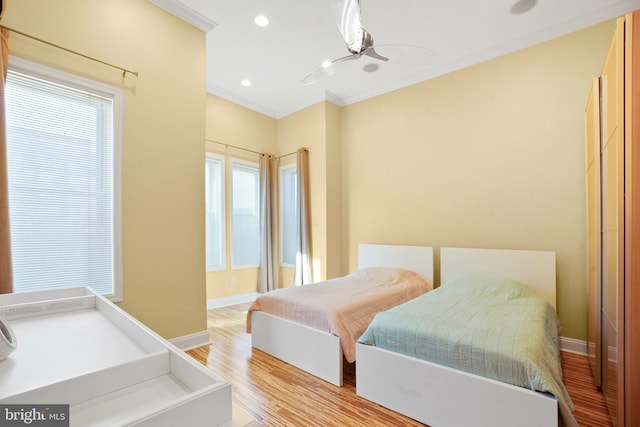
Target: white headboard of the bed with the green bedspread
(535, 269)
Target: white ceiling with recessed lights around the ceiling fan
(452, 34)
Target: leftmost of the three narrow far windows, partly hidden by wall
(214, 217)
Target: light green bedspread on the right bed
(496, 328)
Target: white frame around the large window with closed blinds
(57, 76)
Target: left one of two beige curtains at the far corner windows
(268, 274)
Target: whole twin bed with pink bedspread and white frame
(319, 351)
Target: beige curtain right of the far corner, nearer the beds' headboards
(303, 271)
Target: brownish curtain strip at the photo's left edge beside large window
(6, 277)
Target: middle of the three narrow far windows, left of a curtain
(245, 215)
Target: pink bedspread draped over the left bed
(344, 306)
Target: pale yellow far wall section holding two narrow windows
(229, 123)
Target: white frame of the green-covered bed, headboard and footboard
(440, 396)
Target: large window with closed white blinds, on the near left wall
(63, 139)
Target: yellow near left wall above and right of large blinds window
(163, 146)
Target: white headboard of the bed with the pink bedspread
(416, 258)
